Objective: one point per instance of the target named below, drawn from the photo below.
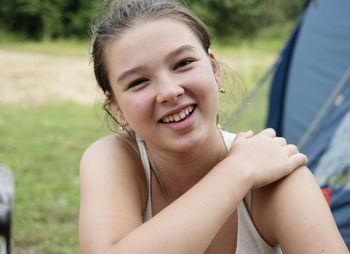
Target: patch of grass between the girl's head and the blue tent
(253, 59)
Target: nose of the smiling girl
(169, 91)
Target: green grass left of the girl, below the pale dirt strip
(43, 146)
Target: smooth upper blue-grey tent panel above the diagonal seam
(318, 63)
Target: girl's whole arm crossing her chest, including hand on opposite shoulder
(112, 200)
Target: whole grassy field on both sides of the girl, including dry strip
(46, 126)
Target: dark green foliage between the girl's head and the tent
(238, 19)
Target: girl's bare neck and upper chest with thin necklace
(178, 172)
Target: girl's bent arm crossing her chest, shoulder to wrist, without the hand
(111, 211)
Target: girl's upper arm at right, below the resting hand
(293, 212)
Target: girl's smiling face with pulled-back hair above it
(165, 84)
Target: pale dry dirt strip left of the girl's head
(33, 79)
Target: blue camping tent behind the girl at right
(309, 100)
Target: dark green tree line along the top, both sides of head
(51, 19)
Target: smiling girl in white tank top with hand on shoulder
(174, 182)
